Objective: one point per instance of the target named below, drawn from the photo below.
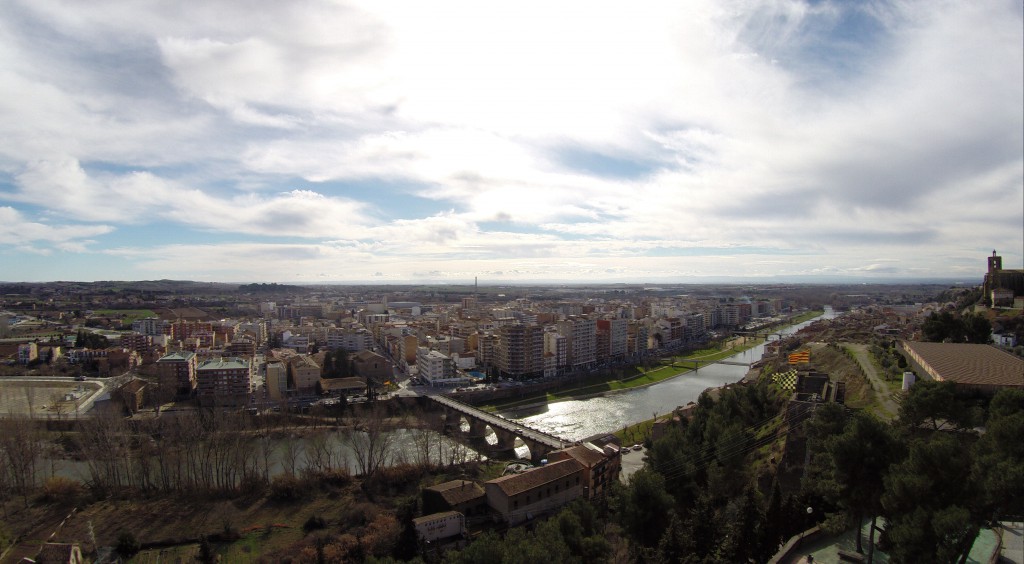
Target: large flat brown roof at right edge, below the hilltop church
(967, 364)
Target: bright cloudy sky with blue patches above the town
(383, 142)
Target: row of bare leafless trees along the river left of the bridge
(217, 453)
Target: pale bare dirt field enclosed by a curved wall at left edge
(41, 398)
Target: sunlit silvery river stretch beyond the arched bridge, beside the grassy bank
(579, 419)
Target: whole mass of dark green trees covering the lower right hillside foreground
(710, 492)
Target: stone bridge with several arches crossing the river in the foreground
(539, 443)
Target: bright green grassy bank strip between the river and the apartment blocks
(641, 376)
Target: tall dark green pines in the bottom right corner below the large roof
(934, 481)
